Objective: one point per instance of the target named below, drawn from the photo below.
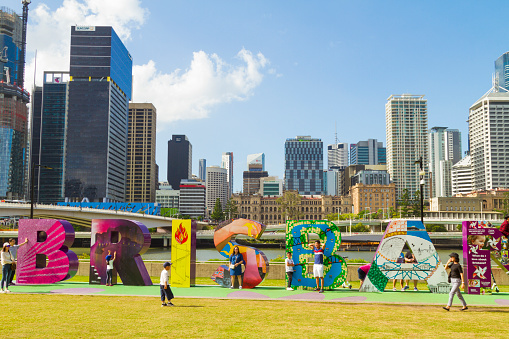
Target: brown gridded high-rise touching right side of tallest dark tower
(141, 153)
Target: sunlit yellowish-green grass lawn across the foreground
(50, 316)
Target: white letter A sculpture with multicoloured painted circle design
(386, 265)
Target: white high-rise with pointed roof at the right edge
(487, 123)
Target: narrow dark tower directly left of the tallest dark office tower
(49, 114)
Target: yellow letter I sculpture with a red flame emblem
(183, 253)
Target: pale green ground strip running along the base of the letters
(408, 297)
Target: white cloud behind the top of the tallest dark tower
(49, 31)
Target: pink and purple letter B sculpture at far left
(48, 241)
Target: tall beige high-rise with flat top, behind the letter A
(406, 124)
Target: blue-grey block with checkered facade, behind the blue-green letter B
(304, 165)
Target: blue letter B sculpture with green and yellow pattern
(297, 239)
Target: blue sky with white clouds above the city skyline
(243, 76)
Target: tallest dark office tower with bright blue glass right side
(99, 94)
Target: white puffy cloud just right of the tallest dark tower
(207, 82)
